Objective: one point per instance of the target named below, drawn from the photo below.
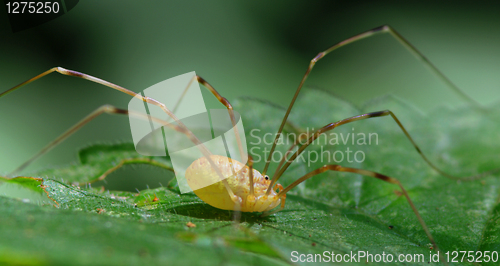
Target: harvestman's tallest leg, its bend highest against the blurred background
(381, 29)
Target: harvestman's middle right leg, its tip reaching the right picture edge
(331, 126)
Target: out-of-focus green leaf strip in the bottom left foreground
(33, 235)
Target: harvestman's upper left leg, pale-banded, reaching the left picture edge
(182, 128)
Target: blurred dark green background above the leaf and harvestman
(243, 48)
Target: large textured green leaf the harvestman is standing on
(331, 212)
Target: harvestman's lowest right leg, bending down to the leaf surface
(370, 174)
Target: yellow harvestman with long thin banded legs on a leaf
(249, 190)
